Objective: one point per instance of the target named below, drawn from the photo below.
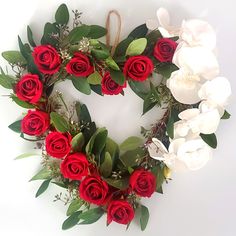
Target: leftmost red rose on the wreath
(29, 88)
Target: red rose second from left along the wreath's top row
(80, 65)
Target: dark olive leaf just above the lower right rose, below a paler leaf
(132, 158)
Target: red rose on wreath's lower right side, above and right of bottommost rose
(143, 183)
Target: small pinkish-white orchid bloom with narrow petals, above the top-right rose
(162, 24)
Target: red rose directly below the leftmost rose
(35, 123)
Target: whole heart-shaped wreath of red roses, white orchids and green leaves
(80, 157)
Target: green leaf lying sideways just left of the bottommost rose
(92, 215)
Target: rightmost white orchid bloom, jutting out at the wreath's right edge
(217, 90)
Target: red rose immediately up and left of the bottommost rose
(94, 190)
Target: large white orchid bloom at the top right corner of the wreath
(198, 33)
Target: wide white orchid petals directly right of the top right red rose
(198, 60)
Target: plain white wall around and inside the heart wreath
(198, 203)
